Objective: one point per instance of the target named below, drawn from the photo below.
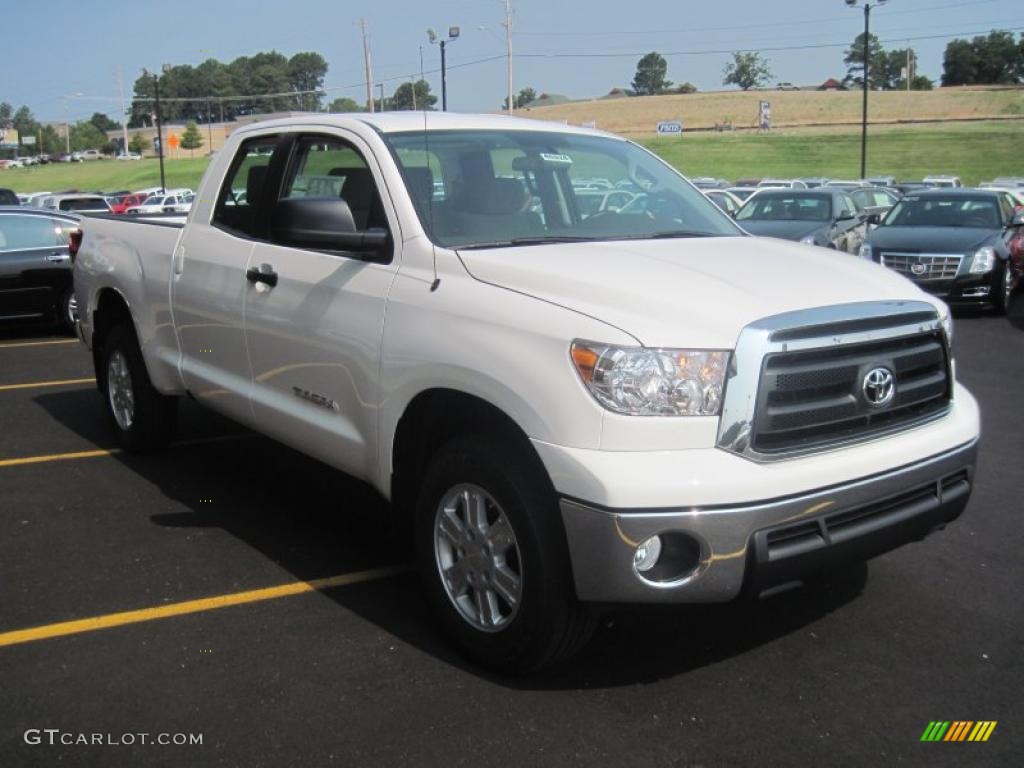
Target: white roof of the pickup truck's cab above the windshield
(400, 122)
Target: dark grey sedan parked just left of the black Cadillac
(822, 218)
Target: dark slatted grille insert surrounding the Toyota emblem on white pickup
(816, 398)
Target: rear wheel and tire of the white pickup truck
(142, 418)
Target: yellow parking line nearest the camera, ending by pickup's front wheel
(194, 607)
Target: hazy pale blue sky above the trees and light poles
(580, 49)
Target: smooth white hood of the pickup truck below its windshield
(698, 292)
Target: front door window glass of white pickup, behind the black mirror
(324, 167)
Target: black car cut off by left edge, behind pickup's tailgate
(35, 267)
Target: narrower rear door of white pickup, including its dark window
(209, 282)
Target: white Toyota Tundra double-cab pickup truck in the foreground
(641, 405)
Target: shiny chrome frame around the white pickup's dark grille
(839, 327)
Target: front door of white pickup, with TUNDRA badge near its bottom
(315, 334)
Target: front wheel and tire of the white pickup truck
(546, 624)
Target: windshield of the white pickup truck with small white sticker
(507, 188)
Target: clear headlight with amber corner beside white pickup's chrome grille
(639, 381)
